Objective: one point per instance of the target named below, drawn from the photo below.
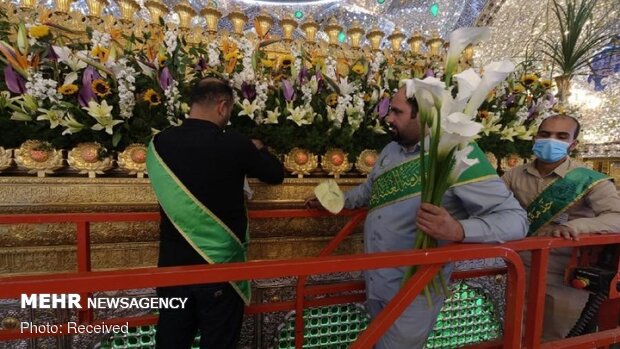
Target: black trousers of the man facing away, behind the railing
(215, 309)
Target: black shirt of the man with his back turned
(212, 164)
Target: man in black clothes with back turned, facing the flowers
(197, 171)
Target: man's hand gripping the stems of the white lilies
(438, 223)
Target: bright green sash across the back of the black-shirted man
(203, 230)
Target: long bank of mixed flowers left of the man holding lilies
(118, 89)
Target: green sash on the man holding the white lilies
(403, 181)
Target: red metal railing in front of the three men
(86, 281)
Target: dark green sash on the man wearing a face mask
(560, 195)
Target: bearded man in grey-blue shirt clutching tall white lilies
(477, 208)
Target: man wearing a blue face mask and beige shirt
(563, 198)
